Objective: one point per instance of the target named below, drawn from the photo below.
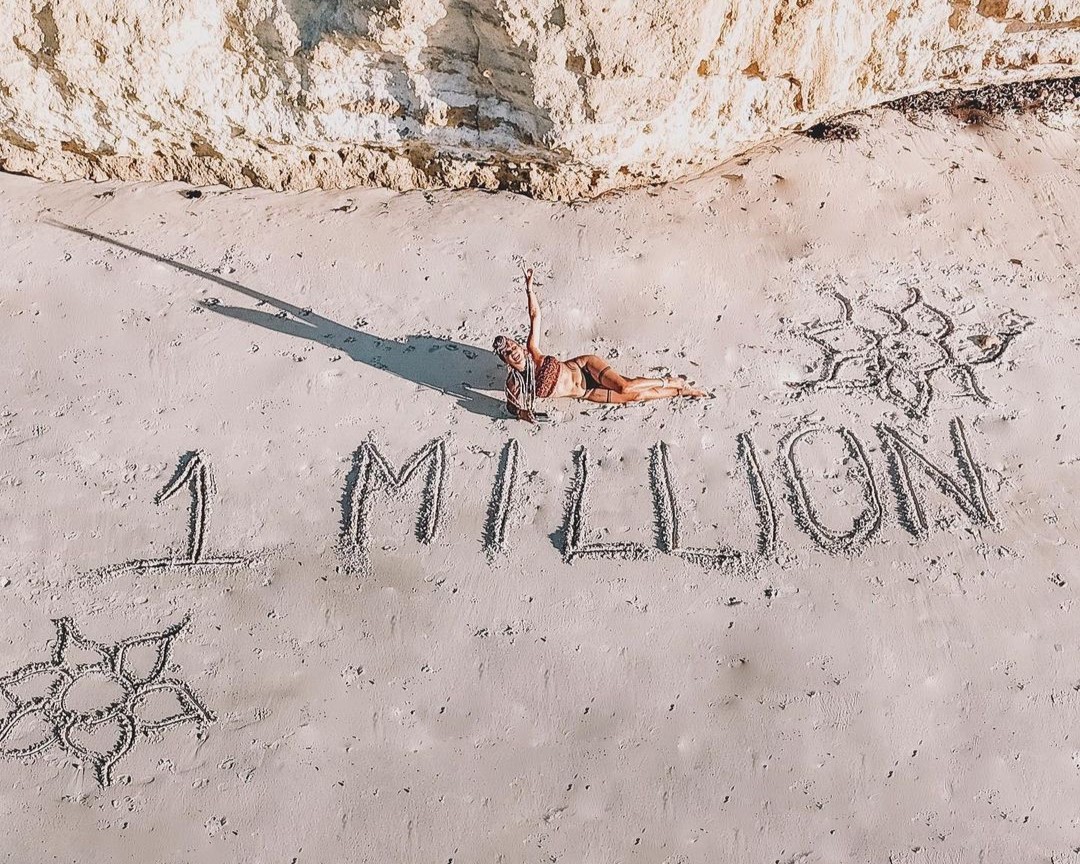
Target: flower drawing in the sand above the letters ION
(908, 356)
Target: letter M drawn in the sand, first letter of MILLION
(373, 472)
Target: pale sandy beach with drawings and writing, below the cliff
(280, 585)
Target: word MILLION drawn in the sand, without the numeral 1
(912, 470)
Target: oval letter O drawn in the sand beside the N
(865, 526)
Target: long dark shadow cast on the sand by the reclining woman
(438, 364)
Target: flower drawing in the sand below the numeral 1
(92, 701)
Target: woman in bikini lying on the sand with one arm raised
(532, 374)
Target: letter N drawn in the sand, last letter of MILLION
(903, 456)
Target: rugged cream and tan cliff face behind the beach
(560, 99)
